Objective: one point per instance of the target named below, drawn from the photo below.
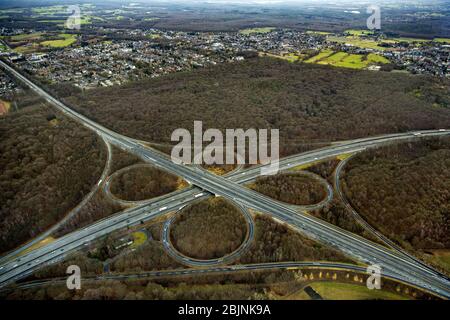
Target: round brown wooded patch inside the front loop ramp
(208, 229)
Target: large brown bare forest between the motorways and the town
(310, 104)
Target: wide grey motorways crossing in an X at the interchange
(392, 262)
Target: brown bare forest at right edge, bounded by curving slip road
(403, 190)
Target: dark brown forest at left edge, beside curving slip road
(48, 163)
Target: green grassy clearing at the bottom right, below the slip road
(346, 291)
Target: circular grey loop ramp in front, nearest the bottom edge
(194, 262)
